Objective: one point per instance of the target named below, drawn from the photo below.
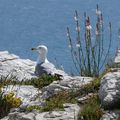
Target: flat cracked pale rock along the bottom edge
(70, 113)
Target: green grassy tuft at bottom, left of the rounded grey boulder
(91, 110)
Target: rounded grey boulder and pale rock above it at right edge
(109, 92)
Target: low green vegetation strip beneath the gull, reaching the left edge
(39, 82)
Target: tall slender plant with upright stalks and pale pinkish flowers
(89, 56)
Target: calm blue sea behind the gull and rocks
(27, 23)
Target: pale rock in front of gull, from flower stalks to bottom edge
(28, 95)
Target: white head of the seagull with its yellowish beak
(41, 49)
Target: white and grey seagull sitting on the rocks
(43, 66)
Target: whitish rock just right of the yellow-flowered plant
(25, 92)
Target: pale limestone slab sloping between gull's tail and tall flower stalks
(68, 83)
